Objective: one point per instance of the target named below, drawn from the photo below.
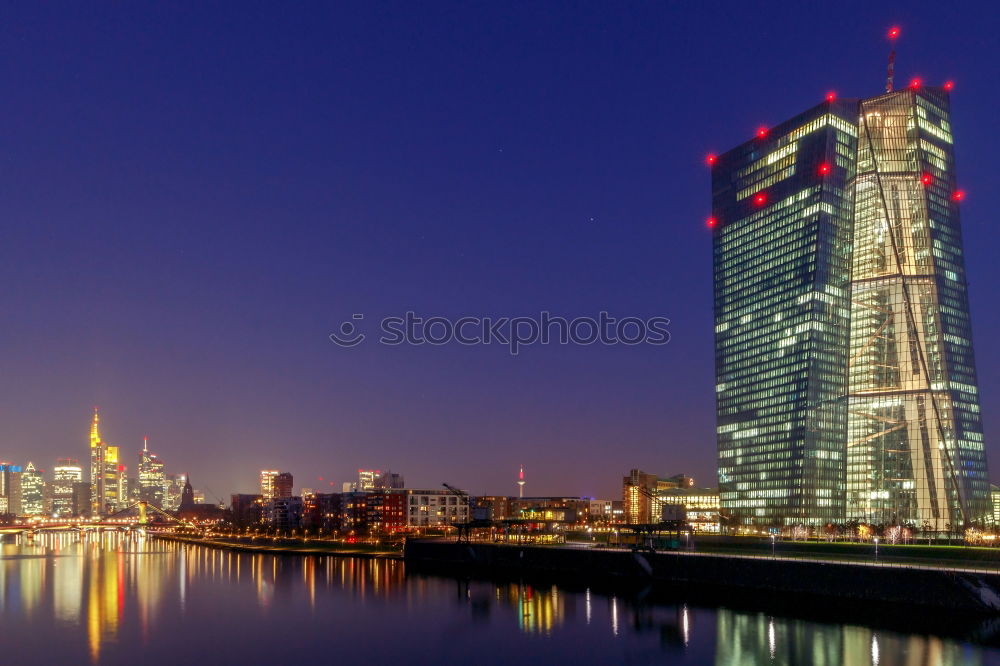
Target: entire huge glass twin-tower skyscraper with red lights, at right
(845, 386)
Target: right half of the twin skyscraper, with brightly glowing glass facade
(915, 439)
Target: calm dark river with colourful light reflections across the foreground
(122, 599)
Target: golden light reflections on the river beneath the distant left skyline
(99, 579)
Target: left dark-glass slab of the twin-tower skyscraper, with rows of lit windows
(781, 227)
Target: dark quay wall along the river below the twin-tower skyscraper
(914, 586)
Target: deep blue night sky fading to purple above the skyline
(195, 194)
